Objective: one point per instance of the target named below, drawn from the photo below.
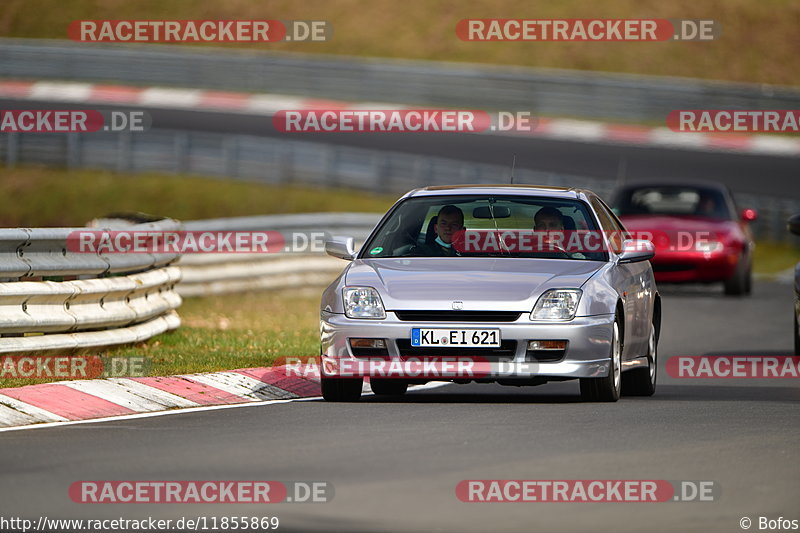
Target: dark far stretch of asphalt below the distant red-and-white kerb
(747, 173)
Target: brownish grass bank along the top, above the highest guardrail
(758, 41)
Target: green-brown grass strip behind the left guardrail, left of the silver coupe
(37, 196)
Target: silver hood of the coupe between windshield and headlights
(502, 284)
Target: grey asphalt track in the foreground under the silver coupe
(395, 463)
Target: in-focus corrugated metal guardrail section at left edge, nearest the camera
(113, 298)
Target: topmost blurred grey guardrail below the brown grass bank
(541, 91)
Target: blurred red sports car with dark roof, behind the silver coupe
(698, 233)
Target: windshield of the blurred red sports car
(672, 201)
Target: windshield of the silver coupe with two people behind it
(483, 225)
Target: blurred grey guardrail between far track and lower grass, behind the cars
(285, 161)
